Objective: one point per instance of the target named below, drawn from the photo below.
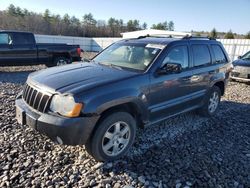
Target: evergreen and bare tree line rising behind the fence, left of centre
(15, 18)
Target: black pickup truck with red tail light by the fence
(20, 48)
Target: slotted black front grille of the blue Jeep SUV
(35, 98)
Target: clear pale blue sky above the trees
(188, 15)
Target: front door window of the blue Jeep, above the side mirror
(178, 54)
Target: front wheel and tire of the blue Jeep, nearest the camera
(113, 137)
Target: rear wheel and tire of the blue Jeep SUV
(211, 102)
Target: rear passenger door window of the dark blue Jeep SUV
(201, 55)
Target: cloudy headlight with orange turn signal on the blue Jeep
(65, 105)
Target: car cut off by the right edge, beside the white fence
(241, 68)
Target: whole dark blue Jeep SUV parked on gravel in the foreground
(133, 83)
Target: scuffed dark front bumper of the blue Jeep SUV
(68, 131)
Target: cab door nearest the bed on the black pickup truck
(24, 49)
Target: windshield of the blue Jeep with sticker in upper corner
(128, 55)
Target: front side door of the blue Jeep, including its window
(170, 93)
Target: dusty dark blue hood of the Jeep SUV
(77, 77)
